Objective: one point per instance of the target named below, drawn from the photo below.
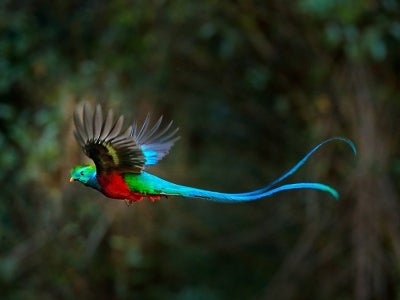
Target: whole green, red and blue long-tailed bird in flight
(121, 155)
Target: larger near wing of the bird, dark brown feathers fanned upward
(103, 140)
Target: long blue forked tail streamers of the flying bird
(268, 190)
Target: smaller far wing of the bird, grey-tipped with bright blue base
(155, 141)
